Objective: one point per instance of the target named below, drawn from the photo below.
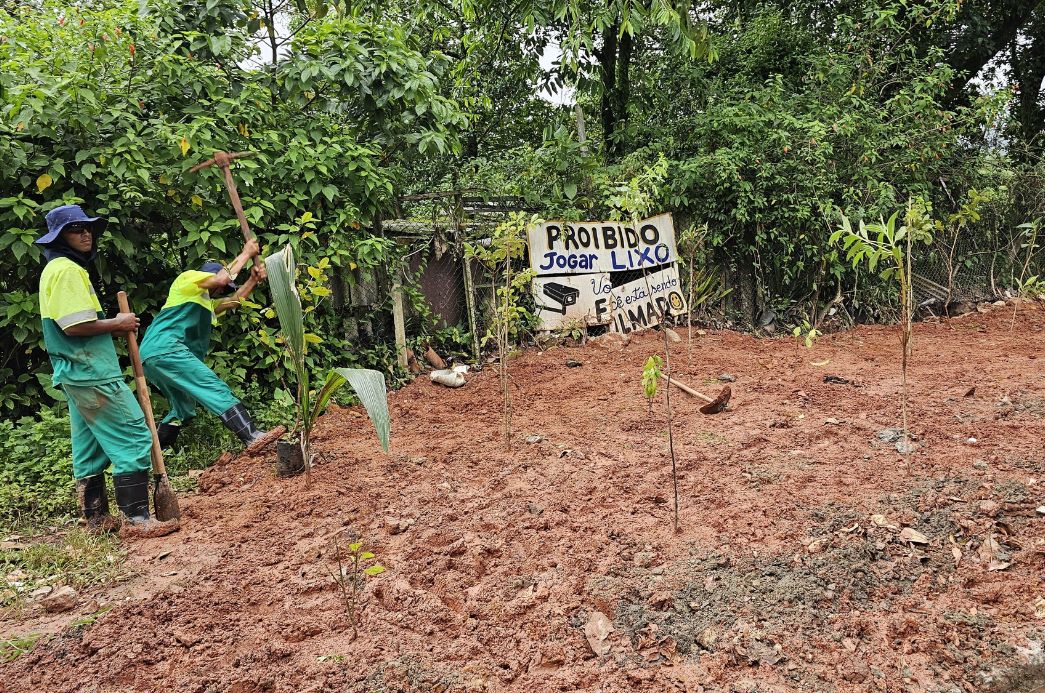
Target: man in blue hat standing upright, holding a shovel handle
(107, 423)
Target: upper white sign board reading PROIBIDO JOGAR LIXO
(562, 248)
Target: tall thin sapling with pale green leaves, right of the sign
(888, 249)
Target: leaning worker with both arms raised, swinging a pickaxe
(177, 342)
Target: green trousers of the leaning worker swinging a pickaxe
(184, 381)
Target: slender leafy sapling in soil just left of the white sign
(507, 247)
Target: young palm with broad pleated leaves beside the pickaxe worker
(369, 385)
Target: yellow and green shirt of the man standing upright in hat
(66, 299)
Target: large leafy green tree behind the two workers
(109, 107)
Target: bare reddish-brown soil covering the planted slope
(795, 568)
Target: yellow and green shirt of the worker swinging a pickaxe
(184, 321)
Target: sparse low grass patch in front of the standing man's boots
(75, 558)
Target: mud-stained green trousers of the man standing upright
(108, 427)
